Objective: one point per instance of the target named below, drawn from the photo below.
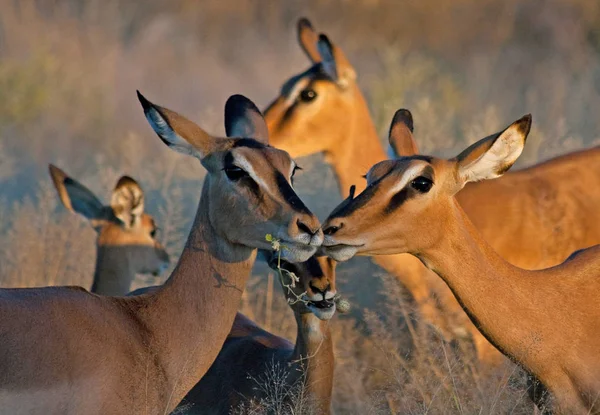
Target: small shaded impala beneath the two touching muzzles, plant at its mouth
(249, 351)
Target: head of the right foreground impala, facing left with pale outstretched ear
(407, 202)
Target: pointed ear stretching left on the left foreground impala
(178, 132)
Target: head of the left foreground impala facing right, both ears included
(249, 183)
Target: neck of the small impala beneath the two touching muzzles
(314, 354)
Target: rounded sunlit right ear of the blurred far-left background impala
(127, 201)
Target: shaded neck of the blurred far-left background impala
(113, 275)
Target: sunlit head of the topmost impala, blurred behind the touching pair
(315, 107)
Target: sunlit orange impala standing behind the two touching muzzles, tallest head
(534, 218)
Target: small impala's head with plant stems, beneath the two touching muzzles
(316, 279)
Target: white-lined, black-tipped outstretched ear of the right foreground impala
(494, 155)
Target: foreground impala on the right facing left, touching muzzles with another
(547, 320)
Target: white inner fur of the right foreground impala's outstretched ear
(504, 152)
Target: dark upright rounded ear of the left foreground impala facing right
(244, 119)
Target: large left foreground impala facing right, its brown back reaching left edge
(65, 350)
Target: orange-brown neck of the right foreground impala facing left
(503, 301)
